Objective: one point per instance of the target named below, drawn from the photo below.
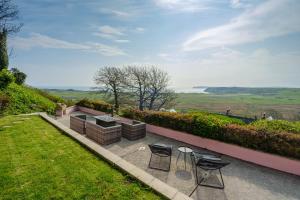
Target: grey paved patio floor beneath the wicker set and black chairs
(242, 180)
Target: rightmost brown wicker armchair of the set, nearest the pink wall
(134, 130)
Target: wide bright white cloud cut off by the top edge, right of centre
(181, 5)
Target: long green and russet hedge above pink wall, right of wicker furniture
(224, 129)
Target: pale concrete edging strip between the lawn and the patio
(131, 169)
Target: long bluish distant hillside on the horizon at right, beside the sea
(248, 90)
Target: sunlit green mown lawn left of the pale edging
(39, 162)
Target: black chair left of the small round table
(160, 150)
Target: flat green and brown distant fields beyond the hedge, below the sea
(280, 103)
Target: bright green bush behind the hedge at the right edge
(278, 126)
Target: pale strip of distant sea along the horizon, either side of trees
(87, 88)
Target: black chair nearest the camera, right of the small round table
(208, 162)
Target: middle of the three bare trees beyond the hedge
(137, 81)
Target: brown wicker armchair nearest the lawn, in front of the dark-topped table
(103, 135)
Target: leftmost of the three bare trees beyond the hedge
(112, 78)
